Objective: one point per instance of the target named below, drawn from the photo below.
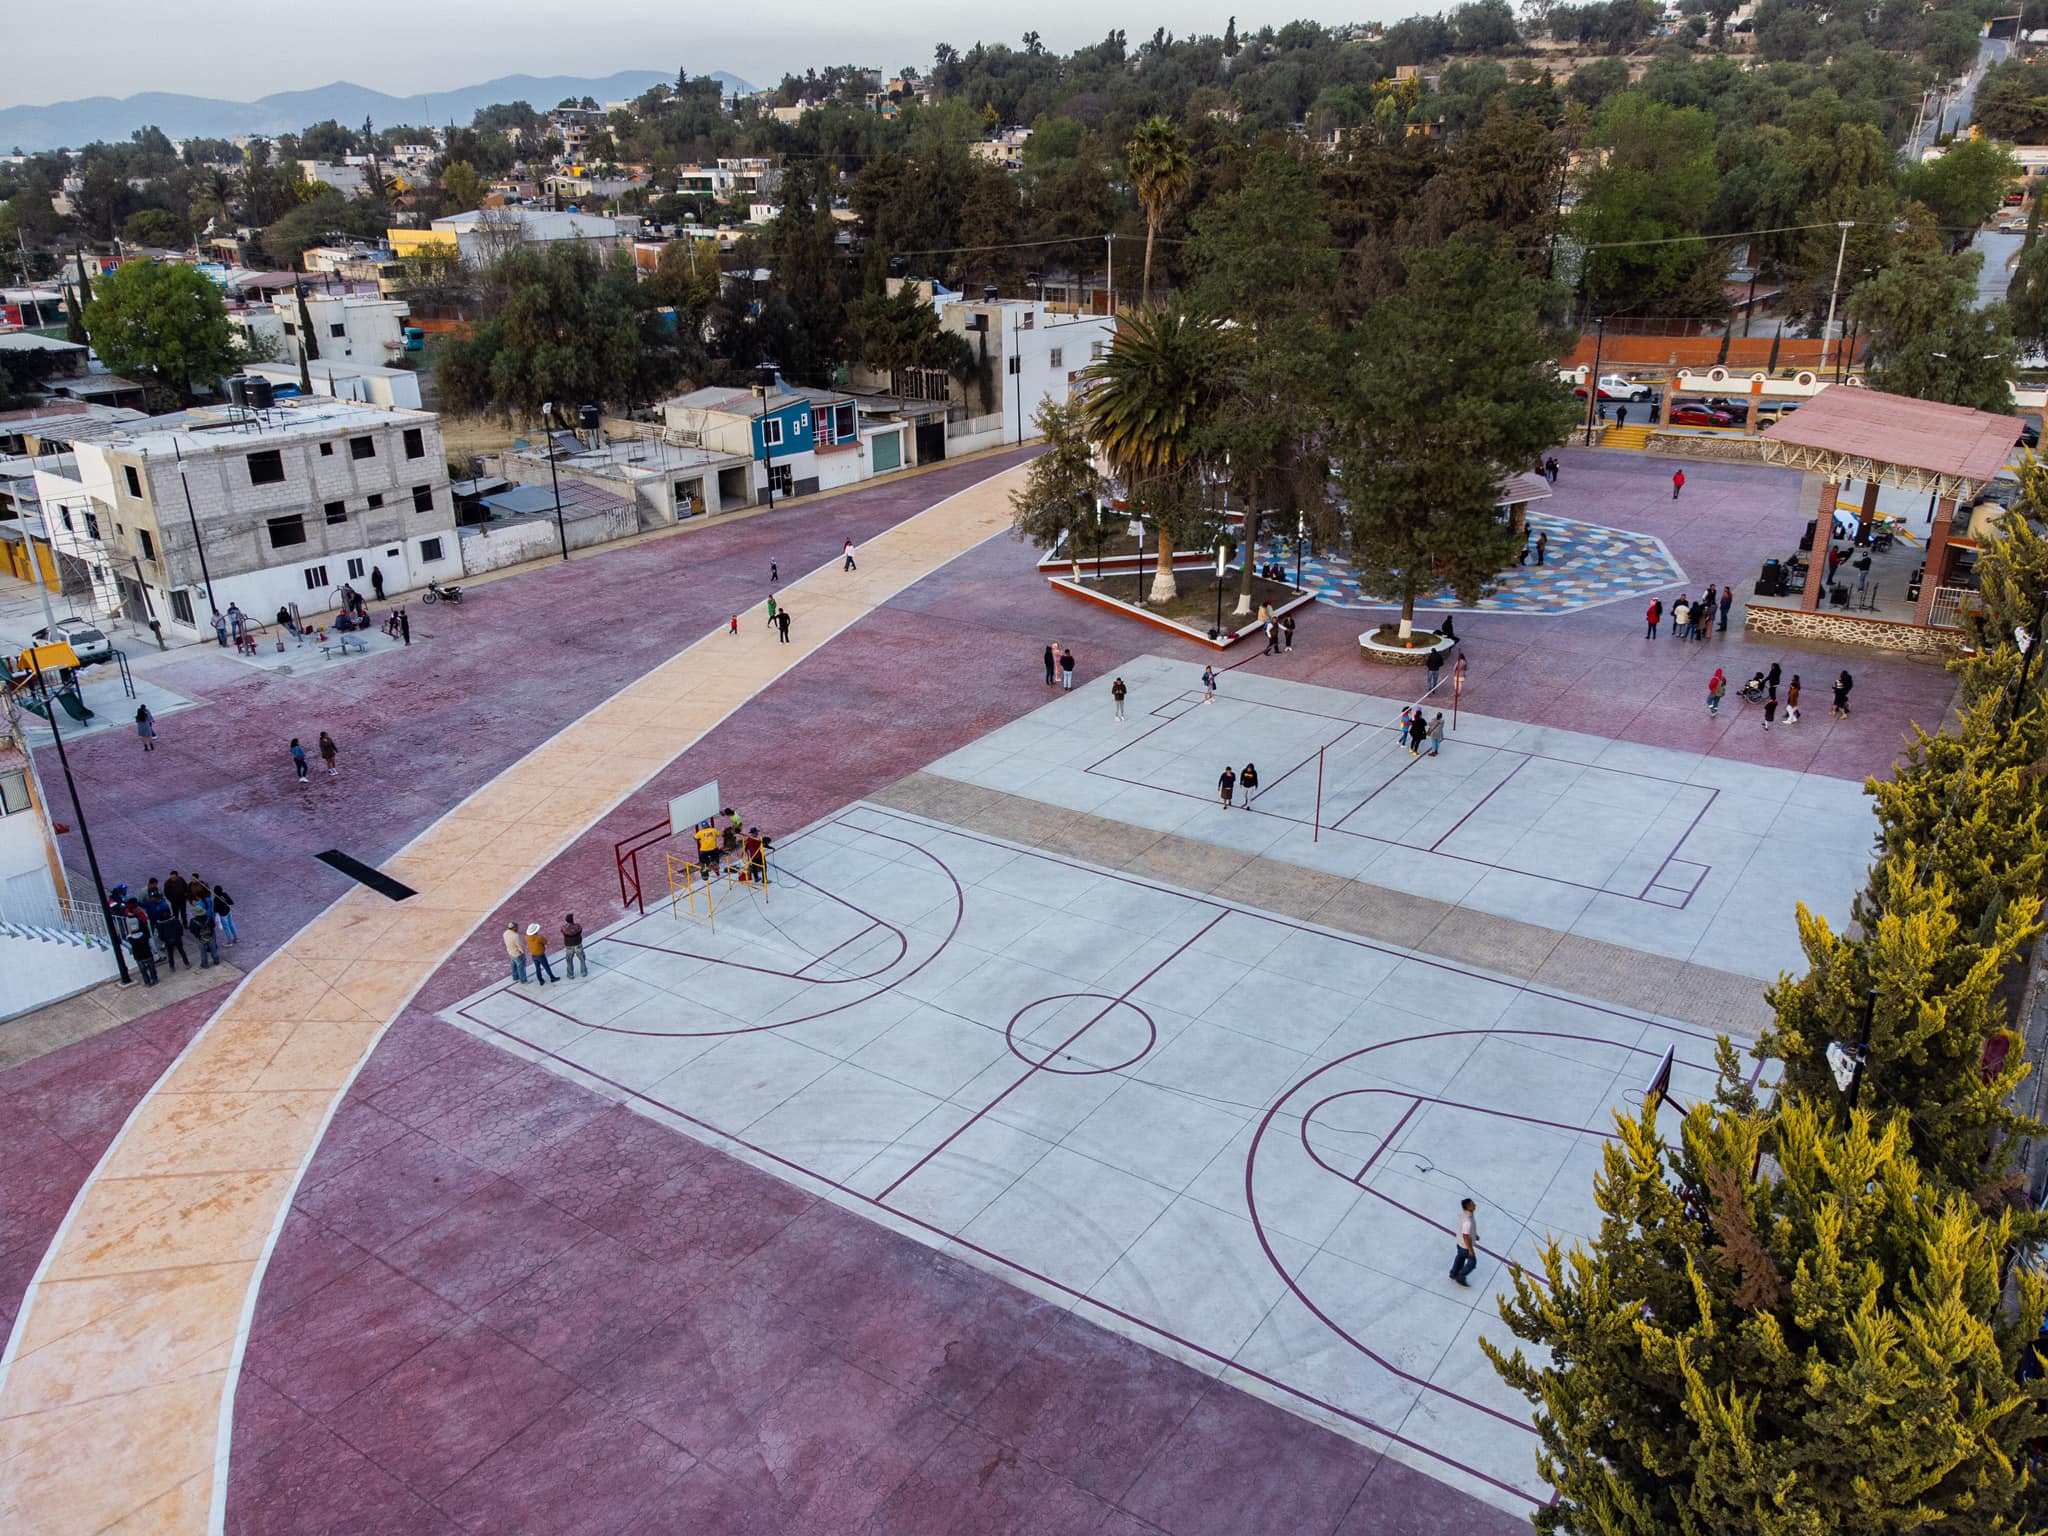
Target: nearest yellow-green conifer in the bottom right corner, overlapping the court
(1814, 1351)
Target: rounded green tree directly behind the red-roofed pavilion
(1930, 341)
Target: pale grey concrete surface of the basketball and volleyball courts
(1232, 1136)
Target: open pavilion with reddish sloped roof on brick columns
(1951, 452)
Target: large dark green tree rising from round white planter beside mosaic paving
(1451, 388)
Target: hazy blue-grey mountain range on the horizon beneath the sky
(73, 124)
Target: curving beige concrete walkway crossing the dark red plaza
(118, 1383)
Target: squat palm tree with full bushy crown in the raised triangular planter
(1150, 402)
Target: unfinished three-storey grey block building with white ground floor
(286, 505)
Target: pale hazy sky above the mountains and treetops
(206, 48)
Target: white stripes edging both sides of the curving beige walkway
(218, 1517)
